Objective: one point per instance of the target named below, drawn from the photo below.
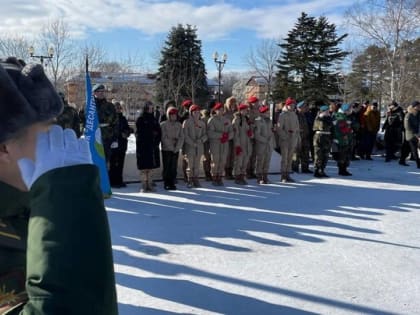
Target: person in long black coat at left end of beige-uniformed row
(148, 136)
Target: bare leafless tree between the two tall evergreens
(263, 59)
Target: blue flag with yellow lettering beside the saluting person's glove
(93, 135)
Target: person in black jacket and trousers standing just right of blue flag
(118, 154)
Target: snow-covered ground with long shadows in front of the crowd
(317, 246)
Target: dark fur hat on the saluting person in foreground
(26, 96)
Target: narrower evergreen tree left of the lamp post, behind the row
(181, 71)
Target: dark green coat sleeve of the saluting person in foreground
(69, 255)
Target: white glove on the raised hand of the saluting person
(55, 148)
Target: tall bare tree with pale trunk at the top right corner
(388, 24)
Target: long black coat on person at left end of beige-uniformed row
(148, 137)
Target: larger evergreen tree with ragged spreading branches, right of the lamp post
(307, 62)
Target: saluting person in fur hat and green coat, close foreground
(48, 190)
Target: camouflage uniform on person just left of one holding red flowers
(322, 140)
